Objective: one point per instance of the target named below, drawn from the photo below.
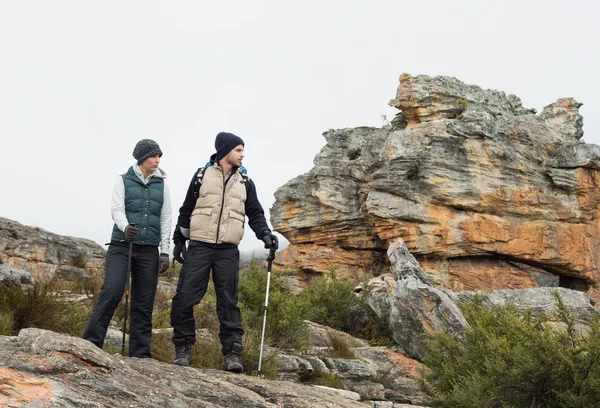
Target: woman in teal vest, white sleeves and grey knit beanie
(141, 211)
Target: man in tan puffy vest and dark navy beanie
(212, 217)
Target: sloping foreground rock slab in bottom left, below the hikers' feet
(40, 367)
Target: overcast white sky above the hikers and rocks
(81, 82)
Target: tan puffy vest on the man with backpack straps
(219, 216)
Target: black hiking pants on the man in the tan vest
(200, 259)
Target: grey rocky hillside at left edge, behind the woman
(45, 254)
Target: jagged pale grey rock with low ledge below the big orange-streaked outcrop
(411, 306)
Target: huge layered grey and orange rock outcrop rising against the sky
(486, 194)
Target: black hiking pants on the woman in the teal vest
(144, 278)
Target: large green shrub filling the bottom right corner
(510, 358)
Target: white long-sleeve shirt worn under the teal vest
(117, 207)
